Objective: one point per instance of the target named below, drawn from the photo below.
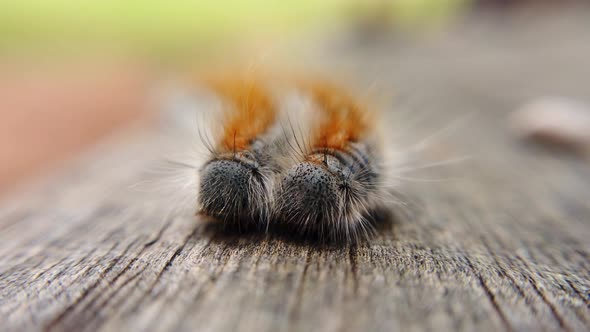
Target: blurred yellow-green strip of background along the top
(174, 26)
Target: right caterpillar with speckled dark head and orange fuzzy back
(333, 189)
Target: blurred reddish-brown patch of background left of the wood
(51, 112)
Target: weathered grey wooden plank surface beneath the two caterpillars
(503, 246)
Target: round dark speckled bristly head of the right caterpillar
(320, 198)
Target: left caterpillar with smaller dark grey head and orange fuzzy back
(236, 183)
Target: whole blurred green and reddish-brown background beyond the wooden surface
(74, 72)
